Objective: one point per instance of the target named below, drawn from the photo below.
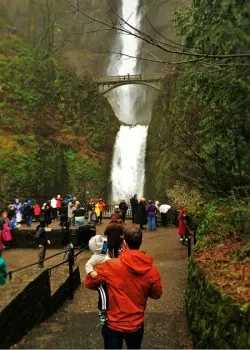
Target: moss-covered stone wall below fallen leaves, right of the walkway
(216, 320)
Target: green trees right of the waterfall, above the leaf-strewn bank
(201, 121)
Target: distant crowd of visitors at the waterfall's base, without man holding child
(69, 212)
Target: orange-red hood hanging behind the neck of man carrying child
(136, 261)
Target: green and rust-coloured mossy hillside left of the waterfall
(49, 113)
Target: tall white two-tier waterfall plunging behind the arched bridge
(128, 167)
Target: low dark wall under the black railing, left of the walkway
(32, 306)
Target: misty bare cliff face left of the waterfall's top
(79, 40)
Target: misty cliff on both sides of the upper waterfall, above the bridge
(82, 42)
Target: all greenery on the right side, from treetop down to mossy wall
(198, 155)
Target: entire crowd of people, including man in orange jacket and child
(123, 275)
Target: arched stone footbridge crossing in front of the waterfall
(108, 83)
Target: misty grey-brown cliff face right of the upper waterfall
(157, 21)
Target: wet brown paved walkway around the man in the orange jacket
(76, 325)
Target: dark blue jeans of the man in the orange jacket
(114, 339)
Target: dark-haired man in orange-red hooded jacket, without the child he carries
(130, 280)
